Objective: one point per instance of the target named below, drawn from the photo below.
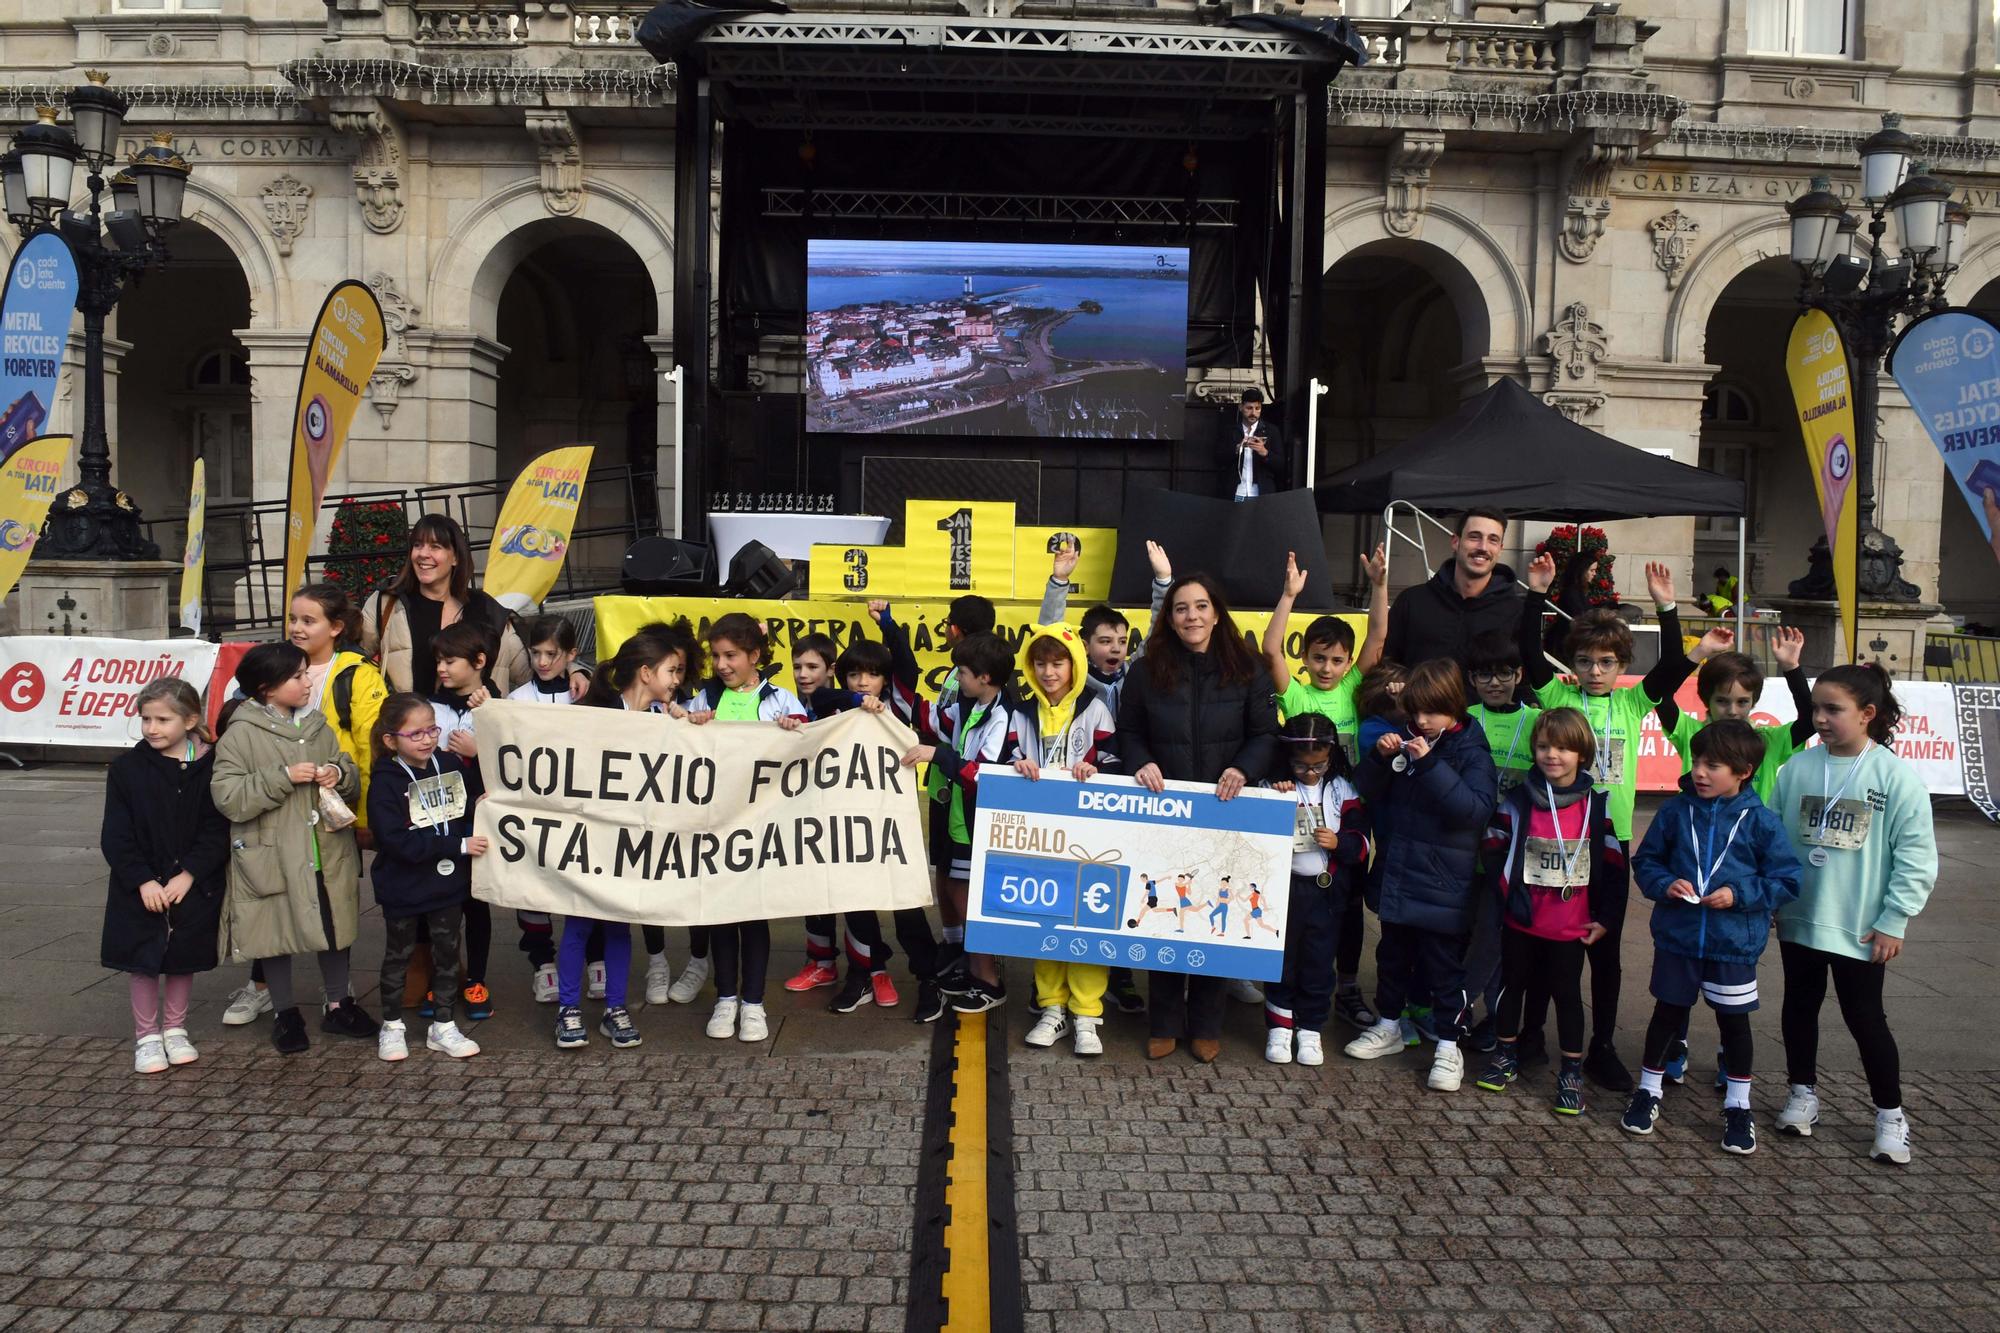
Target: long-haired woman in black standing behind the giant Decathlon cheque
(1197, 710)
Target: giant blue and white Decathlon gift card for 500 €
(1111, 874)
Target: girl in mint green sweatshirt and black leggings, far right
(1861, 824)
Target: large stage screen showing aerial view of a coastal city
(997, 339)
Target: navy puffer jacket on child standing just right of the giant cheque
(1429, 824)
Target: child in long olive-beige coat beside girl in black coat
(295, 886)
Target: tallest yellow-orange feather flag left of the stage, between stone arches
(347, 343)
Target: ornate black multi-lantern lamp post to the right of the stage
(1865, 291)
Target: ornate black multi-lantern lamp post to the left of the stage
(95, 521)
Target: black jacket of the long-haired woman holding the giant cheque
(1201, 728)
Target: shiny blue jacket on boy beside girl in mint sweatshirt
(1757, 866)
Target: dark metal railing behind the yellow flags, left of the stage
(245, 573)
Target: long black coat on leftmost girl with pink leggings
(161, 822)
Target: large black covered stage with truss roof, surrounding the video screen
(1201, 143)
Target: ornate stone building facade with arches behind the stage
(1581, 195)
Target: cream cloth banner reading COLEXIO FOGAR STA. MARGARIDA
(643, 818)
